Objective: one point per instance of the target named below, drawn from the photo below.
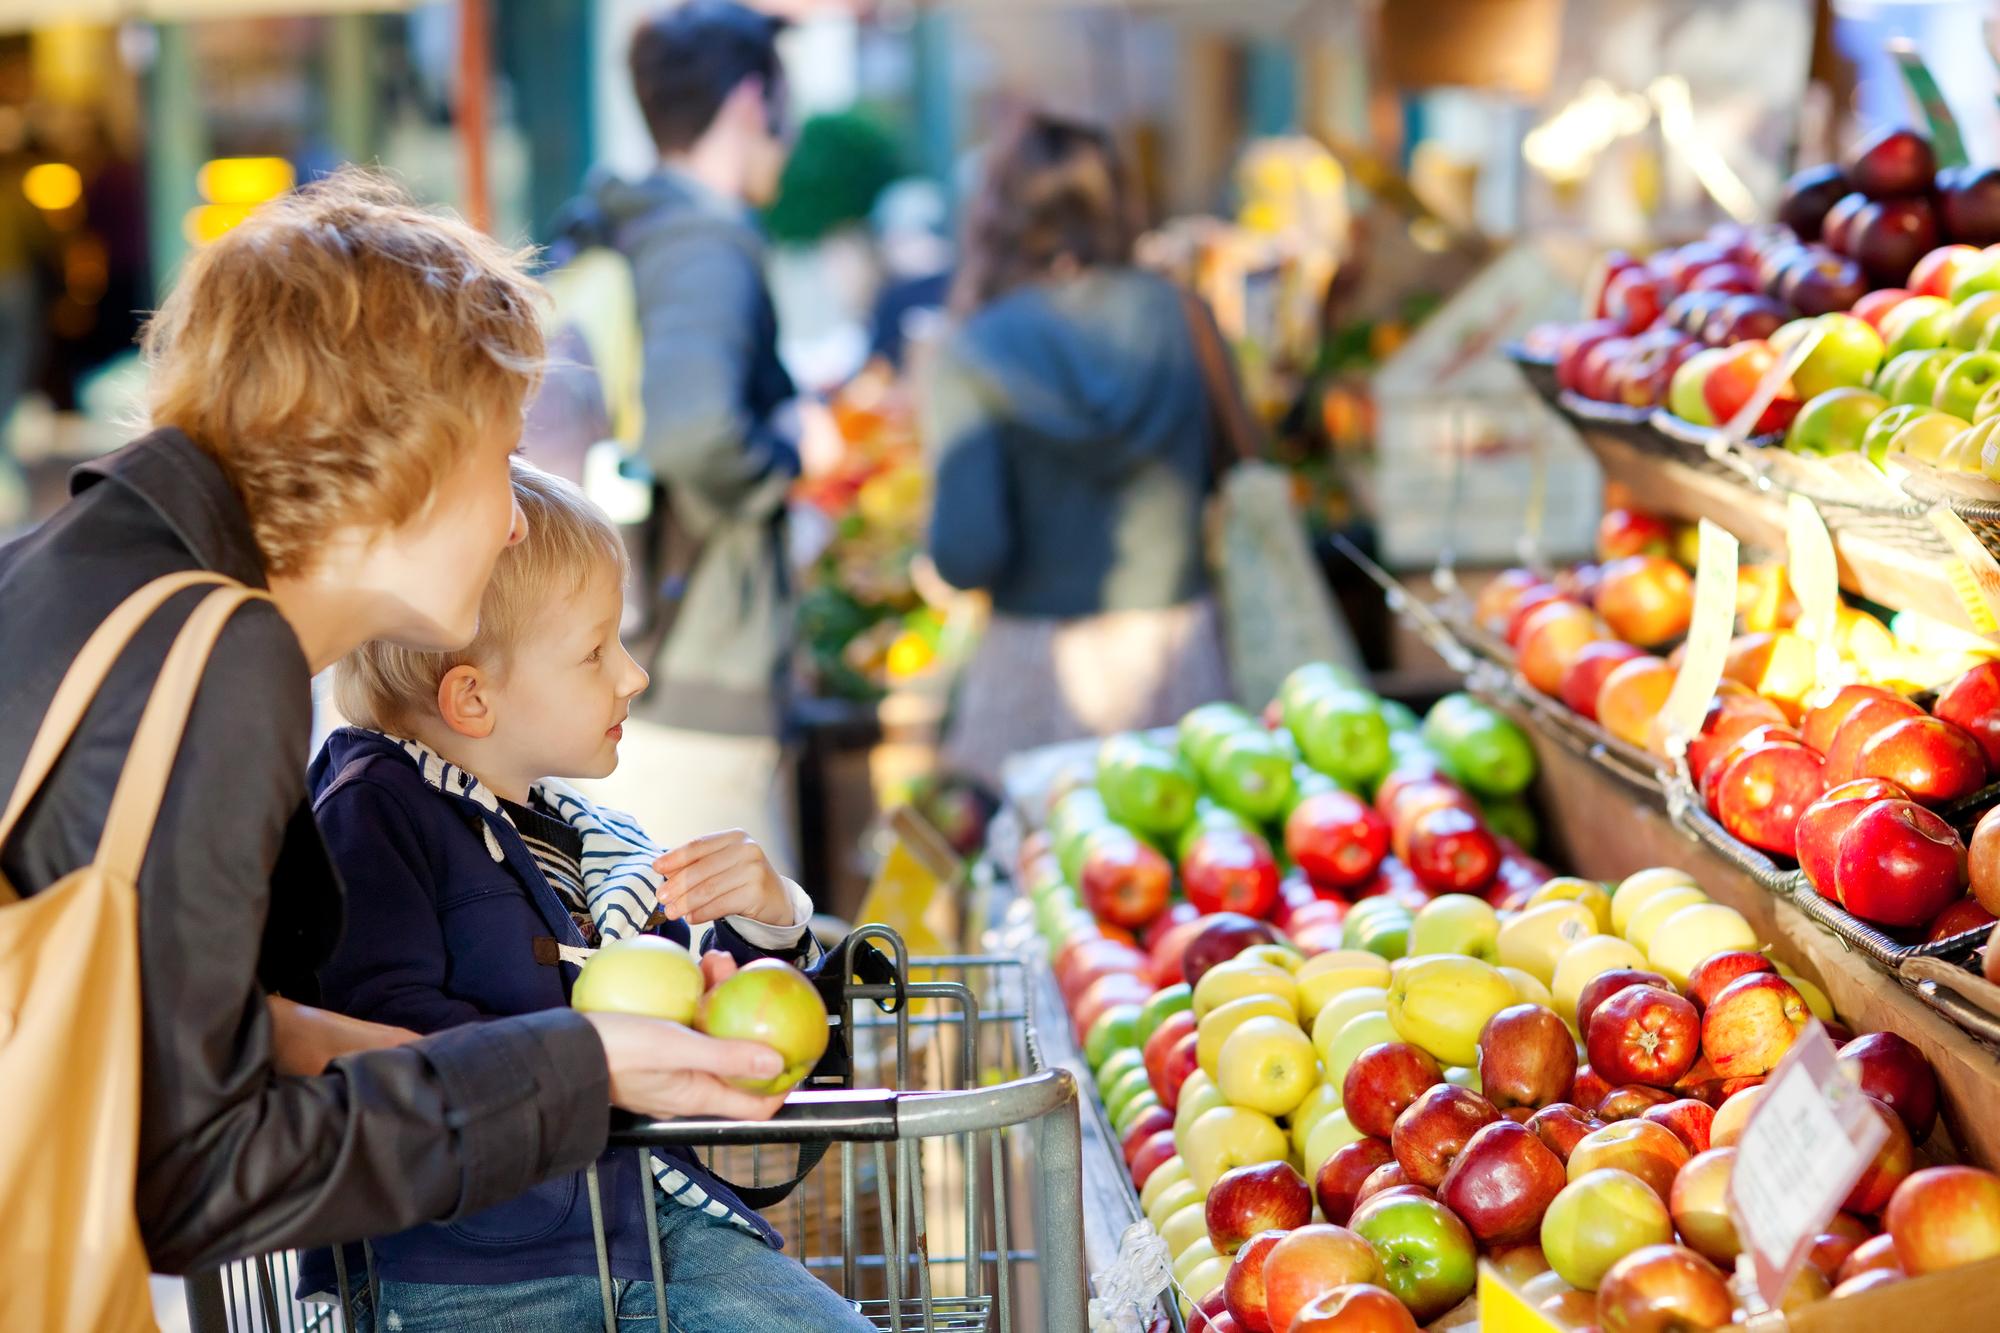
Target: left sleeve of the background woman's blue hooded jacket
(971, 529)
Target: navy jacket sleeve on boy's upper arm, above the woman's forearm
(391, 972)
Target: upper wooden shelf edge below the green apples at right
(1875, 569)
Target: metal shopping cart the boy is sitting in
(949, 1198)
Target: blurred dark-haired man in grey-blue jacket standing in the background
(721, 427)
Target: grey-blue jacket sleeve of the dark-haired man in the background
(699, 297)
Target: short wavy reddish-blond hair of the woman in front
(339, 351)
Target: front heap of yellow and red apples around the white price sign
(1557, 1086)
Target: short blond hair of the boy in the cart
(569, 541)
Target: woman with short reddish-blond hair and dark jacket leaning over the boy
(335, 393)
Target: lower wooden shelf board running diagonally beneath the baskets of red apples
(1607, 830)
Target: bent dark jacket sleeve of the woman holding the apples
(237, 1160)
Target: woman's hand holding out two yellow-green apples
(665, 1070)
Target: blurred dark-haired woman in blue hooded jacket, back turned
(1075, 451)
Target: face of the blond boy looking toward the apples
(563, 698)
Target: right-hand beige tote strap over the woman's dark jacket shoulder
(151, 760)
